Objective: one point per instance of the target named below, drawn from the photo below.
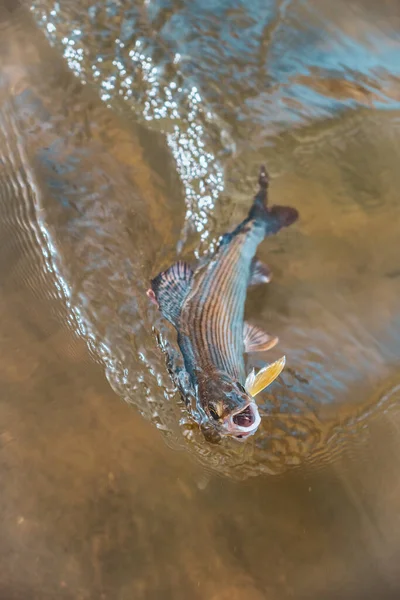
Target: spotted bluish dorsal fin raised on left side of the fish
(171, 288)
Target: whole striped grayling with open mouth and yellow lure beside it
(206, 307)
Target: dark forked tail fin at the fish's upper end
(274, 217)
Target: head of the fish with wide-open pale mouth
(229, 406)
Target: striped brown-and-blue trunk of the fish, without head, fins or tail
(212, 315)
